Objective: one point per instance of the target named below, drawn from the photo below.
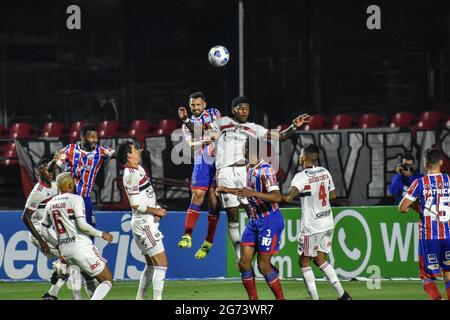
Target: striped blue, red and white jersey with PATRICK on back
(433, 194)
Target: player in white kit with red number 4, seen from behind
(315, 187)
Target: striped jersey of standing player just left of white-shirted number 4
(261, 178)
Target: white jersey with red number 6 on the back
(61, 212)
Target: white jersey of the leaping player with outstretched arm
(230, 148)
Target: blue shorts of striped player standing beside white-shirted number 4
(265, 233)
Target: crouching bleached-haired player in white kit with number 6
(66, 213)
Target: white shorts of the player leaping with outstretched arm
(232, 177)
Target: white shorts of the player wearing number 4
(308, 245)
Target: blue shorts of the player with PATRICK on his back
(434, 256)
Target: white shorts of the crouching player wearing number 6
(85, 256)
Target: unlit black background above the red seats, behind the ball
(300, 56)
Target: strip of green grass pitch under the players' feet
(228, 290)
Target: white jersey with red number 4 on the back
(315, 185)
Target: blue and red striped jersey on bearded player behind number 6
(84, 165)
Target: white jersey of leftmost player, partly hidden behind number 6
(38, 198)
